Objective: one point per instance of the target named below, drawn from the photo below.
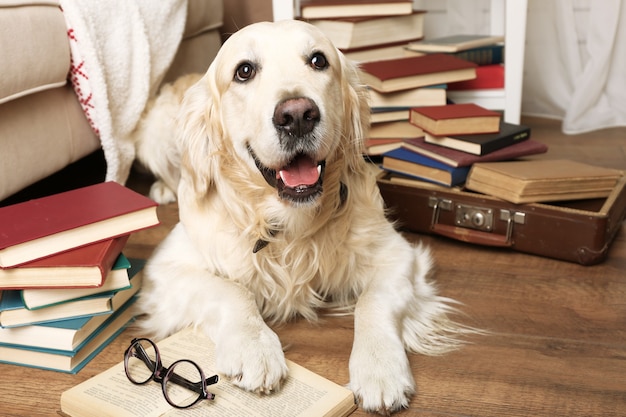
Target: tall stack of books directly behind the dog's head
(378, 31)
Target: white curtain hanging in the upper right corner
(583, 85)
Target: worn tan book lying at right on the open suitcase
(542, 180)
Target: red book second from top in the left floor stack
(86, 266)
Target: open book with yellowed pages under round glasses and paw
(304, 393)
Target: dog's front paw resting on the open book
(255, 360)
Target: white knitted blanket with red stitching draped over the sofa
(120, 52)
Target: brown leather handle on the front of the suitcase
(471, 235)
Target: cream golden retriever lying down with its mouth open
(280, 216)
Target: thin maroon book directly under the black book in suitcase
(456, 158)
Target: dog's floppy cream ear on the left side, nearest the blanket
(200, 130)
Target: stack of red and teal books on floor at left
(65, 285)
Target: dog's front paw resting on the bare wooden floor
(381, 384)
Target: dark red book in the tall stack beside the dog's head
(417, 71)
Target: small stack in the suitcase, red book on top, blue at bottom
(457, 136)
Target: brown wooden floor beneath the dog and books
(558, 330)
